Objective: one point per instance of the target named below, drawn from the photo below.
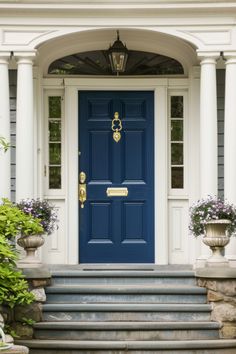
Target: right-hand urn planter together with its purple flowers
(214, 218)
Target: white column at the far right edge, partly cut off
(230, 143)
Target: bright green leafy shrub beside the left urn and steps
(14, 288)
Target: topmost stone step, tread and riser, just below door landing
(121, 276)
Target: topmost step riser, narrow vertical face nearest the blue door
(122, 280)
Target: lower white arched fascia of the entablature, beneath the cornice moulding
(22, 38)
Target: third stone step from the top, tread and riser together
(126, 312)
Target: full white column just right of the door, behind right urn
(208, 135)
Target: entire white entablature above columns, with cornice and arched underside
(192, 21)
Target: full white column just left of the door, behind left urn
(24, 127)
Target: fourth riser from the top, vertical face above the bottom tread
(126, 334)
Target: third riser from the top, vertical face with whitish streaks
(125, 316)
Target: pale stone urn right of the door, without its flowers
(216, 238)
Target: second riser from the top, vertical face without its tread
(122, 298)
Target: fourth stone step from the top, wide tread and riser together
(127, 330)
